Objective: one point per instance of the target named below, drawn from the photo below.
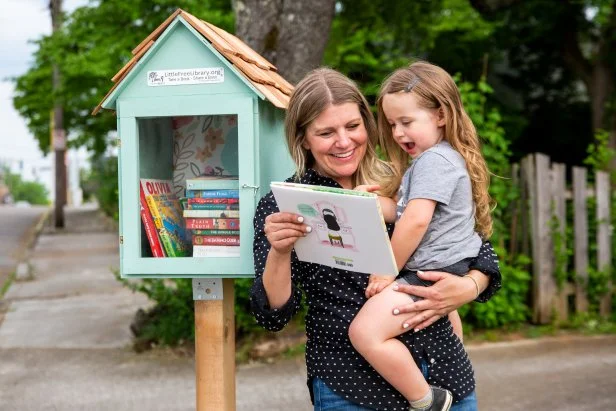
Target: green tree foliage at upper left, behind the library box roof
(94, 43)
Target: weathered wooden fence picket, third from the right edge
(559, 177)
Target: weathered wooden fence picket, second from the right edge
(580, 227)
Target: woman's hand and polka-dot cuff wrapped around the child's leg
(449, 292)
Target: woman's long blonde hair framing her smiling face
(312, 95)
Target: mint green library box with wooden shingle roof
(194, 100)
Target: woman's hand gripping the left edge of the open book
(283, 230)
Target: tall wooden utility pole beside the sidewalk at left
(57, 133)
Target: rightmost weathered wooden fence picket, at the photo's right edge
(604, 249)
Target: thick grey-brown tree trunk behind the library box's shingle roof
(291, 34)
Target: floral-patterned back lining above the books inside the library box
(203, 146)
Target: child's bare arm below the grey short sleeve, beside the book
(411, 228)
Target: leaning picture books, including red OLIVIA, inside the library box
(161, 215)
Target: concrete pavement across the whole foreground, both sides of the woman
(65, 345)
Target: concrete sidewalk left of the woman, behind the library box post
(65, 342)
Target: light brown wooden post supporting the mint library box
(214, 344)
